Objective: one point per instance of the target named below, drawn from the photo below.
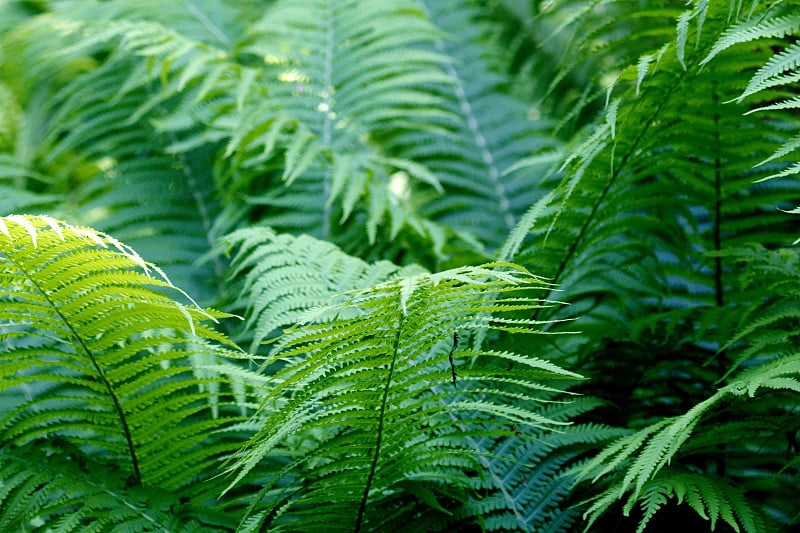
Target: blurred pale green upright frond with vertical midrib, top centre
(341, 82)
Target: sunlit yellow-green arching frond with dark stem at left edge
(94, 352)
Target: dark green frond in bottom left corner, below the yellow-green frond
(68, 492)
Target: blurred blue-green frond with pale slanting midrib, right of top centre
(474, 155)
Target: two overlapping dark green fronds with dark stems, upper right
(644, 180)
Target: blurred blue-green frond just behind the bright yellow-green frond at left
(157, 202)
